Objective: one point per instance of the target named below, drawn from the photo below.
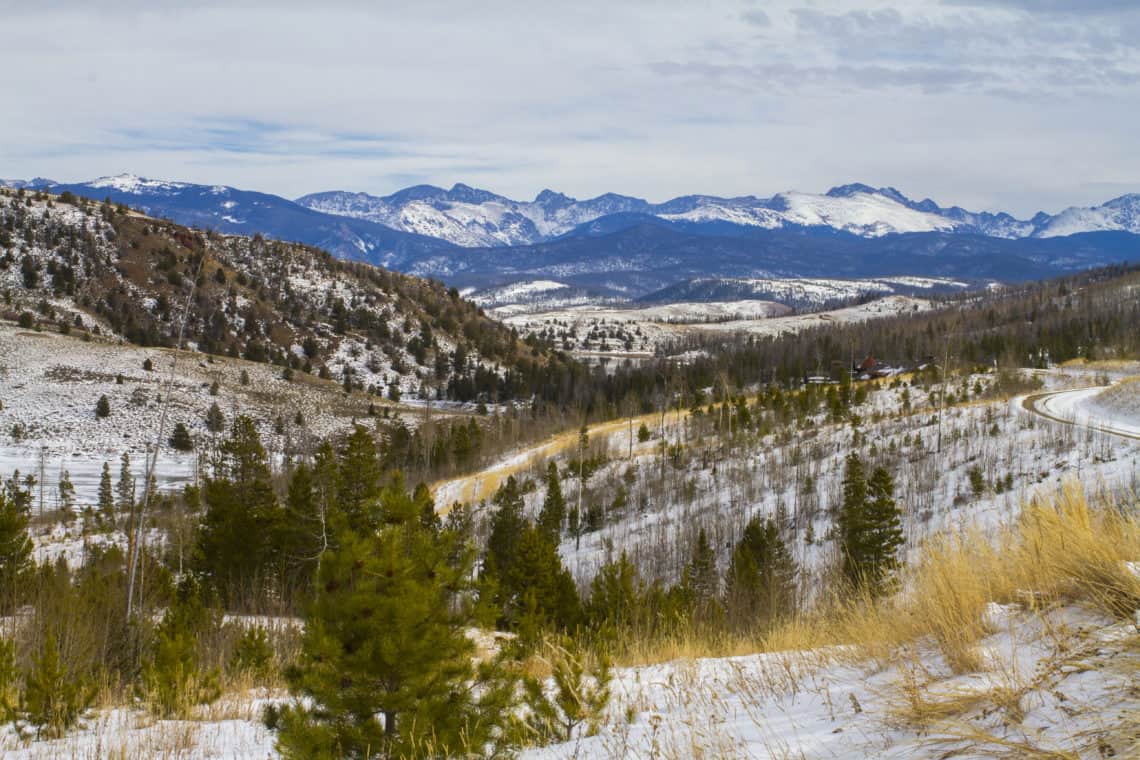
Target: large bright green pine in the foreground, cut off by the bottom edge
(386, 667)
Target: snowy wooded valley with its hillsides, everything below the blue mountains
(589, 473)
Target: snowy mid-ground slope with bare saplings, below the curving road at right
(795, 476)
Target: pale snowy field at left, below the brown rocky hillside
(50, 386)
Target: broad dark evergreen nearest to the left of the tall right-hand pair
(761, 583)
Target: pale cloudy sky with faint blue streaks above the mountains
(1014, 105)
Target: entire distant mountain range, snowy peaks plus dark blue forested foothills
(618, 246)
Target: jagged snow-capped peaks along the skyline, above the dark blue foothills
(474, 218)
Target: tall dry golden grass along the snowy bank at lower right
(1064, 550)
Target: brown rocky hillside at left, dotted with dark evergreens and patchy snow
(83, 267)
